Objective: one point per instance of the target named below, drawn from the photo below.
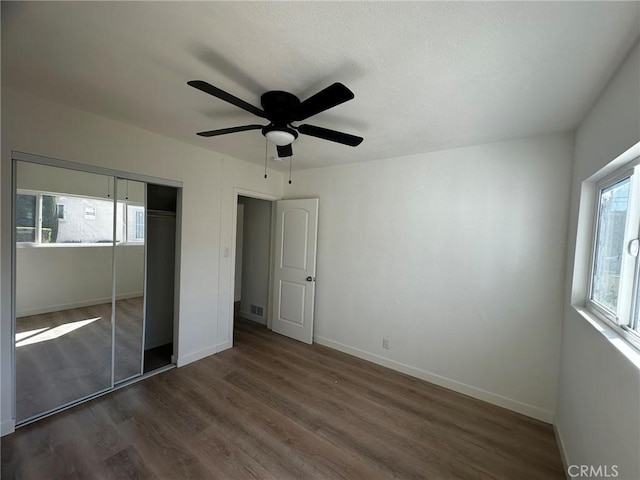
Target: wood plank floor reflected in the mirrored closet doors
(60, 358)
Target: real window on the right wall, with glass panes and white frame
(614, 292)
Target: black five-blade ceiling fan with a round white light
(282, 109)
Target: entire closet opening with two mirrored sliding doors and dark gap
(87, 319)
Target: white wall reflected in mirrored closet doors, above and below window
(52, 278)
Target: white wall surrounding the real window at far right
(598, 419)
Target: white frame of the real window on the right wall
(628, 299)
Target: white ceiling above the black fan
(426, 76)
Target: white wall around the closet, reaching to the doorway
(33, 125)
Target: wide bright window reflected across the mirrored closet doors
(43, 218)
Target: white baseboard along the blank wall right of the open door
(515, 405)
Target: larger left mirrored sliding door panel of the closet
(64, 286)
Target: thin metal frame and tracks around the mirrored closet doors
(17, 156)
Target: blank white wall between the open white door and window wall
(458, 257)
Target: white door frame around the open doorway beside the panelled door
(243, 192)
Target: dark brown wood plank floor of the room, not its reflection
(274, 408)
